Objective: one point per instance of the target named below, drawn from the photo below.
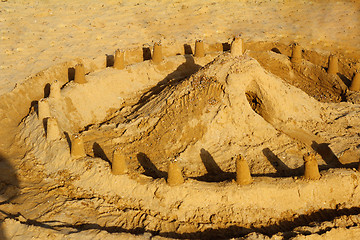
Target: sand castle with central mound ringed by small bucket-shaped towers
(226, 104)
